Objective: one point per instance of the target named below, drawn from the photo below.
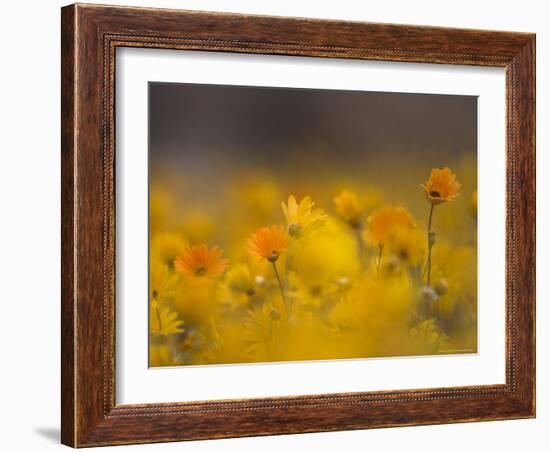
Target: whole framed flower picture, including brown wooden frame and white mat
(281, 225)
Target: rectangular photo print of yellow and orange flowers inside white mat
(292, 224)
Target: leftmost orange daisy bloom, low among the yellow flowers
(200, 262)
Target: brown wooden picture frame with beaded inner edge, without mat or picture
(90, 36)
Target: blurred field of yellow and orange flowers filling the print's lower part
(316, 273)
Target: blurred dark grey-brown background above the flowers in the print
(206, 131)
